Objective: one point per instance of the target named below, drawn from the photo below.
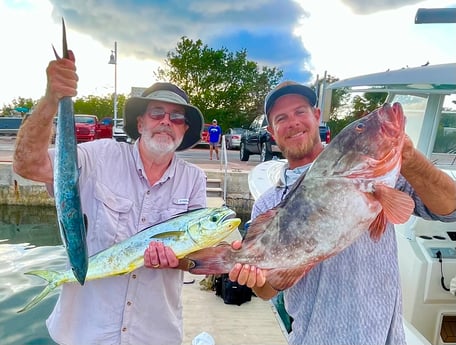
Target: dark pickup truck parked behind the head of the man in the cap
(256, 140)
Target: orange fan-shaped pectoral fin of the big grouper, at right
(397, 206)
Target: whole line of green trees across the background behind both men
(224, 85)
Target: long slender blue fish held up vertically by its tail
(71, 220)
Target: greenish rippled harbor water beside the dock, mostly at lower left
(29, 240)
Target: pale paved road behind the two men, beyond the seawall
(198, 156)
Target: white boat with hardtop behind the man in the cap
(428, 97)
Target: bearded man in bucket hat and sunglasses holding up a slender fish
(124, 188)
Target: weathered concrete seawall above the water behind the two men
(15, 190)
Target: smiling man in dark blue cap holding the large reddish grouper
(354, 297)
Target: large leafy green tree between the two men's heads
(223, 85)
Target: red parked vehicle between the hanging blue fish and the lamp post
(89, 128)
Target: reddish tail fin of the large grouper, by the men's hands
(210, 260)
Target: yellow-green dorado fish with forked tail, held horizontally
(184, 233)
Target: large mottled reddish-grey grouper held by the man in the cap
(349, 189)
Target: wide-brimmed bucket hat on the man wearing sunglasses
(169, 93)
